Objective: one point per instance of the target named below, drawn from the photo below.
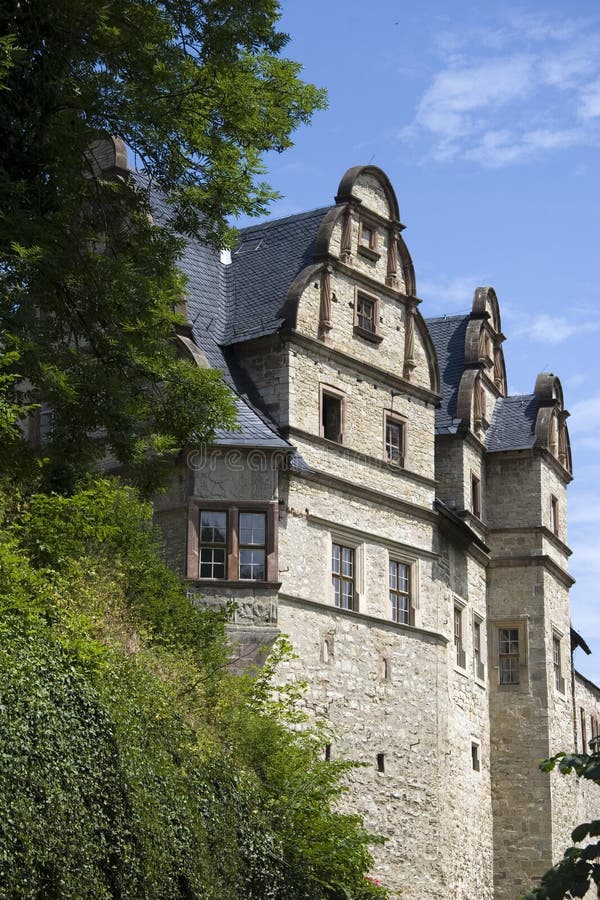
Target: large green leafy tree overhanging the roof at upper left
(89, 286)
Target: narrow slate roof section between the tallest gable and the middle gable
(448, 336)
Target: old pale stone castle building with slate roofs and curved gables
(388, 506)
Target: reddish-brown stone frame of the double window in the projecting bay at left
(233, 509)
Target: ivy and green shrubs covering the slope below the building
(132, 763)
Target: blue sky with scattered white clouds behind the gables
(487, 121)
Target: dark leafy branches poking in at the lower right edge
(579, 868)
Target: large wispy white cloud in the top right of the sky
(535, 89)
